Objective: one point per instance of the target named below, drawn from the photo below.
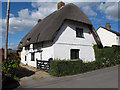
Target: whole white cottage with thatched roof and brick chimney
(67, 33)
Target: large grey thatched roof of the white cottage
(47, 28)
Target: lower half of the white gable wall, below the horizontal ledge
(63, 52)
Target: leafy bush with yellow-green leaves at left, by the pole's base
(10, 65)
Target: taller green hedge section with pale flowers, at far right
(110, 56)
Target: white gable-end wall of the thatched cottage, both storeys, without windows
(66, 40)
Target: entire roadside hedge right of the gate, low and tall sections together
(106, 57)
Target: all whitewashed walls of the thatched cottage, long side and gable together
(63, 43)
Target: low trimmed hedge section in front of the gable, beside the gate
(69, 67)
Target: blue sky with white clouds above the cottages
(24, 16)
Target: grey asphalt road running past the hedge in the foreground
(103, 78)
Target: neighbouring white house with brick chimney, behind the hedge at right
(107, 36)
